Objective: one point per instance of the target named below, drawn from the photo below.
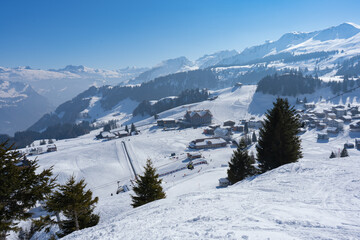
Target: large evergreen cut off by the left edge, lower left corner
(20, 188)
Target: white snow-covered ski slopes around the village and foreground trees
(316, 198)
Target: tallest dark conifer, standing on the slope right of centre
(278, 143)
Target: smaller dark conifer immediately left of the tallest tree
(240, 165)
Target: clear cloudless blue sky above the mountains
(114, 34)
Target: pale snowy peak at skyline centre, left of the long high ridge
(166, 67)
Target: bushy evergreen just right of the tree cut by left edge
(76, 204)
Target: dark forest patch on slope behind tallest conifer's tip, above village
(289, 84)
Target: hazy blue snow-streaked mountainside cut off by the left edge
(20, 106)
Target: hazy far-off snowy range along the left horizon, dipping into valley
(60, 85)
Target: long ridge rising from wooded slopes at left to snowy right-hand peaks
(329, 54)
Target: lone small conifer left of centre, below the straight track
(148, 187)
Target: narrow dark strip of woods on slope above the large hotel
(187, 96)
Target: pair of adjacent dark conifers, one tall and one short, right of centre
(278, 144)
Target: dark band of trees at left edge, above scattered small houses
(58, 131)
